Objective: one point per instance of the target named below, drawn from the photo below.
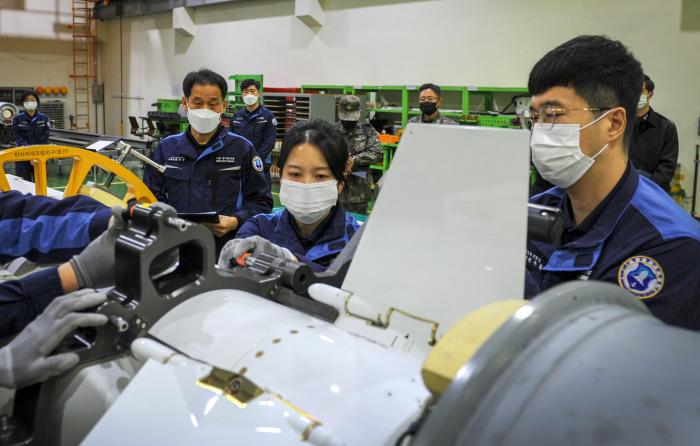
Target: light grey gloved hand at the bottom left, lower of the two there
(26, 359)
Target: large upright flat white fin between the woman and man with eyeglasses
(448, 231)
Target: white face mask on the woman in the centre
(311, 202)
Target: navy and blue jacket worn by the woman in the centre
(320, 249)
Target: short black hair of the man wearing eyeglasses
(600, 70)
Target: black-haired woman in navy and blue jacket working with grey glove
(314, 228)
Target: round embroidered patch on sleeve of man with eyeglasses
(641, 275)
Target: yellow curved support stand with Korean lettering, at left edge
(83, 162)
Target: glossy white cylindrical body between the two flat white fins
(363, 391)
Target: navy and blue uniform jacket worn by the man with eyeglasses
(638, 238)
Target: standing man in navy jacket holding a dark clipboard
(209, 169)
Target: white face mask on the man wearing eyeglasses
(557, 155)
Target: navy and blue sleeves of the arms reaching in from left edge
(44, 230)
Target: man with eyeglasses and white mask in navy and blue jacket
(619, 226)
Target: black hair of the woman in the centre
(323, 135)
